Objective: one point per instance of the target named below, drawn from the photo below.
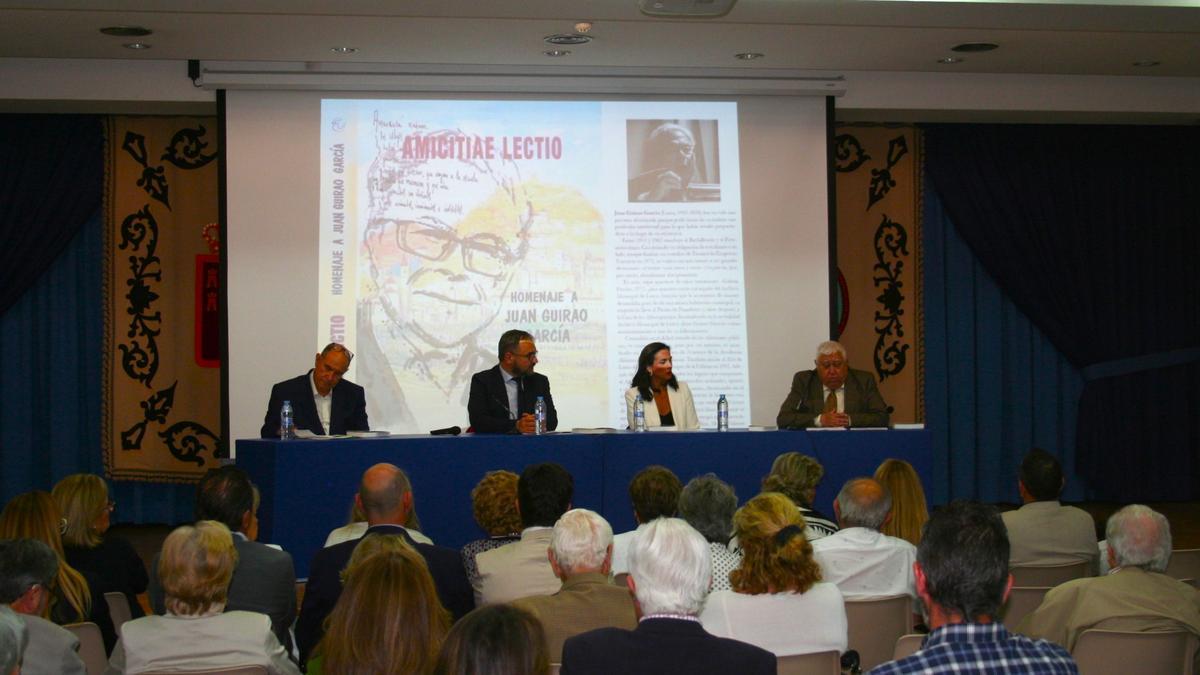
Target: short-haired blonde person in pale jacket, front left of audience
(197, 634)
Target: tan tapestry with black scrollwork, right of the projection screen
(879, 259)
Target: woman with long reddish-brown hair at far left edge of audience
(35, 516)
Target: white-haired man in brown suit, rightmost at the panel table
(833, 395)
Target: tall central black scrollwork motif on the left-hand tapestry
(140, 356)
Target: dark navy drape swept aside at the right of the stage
(1093, 232)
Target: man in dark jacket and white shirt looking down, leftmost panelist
(322, 402)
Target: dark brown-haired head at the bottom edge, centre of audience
(496, 640)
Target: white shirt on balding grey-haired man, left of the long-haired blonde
(867, 564)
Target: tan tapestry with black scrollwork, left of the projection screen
(161, 401)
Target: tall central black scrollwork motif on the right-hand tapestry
(891, 246)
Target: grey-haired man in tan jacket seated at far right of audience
(1135, 596)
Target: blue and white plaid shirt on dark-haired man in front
(982, 648)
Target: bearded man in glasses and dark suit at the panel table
(502, 398)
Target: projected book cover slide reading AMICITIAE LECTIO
(597, 226)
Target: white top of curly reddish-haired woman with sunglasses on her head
(783, 624)
